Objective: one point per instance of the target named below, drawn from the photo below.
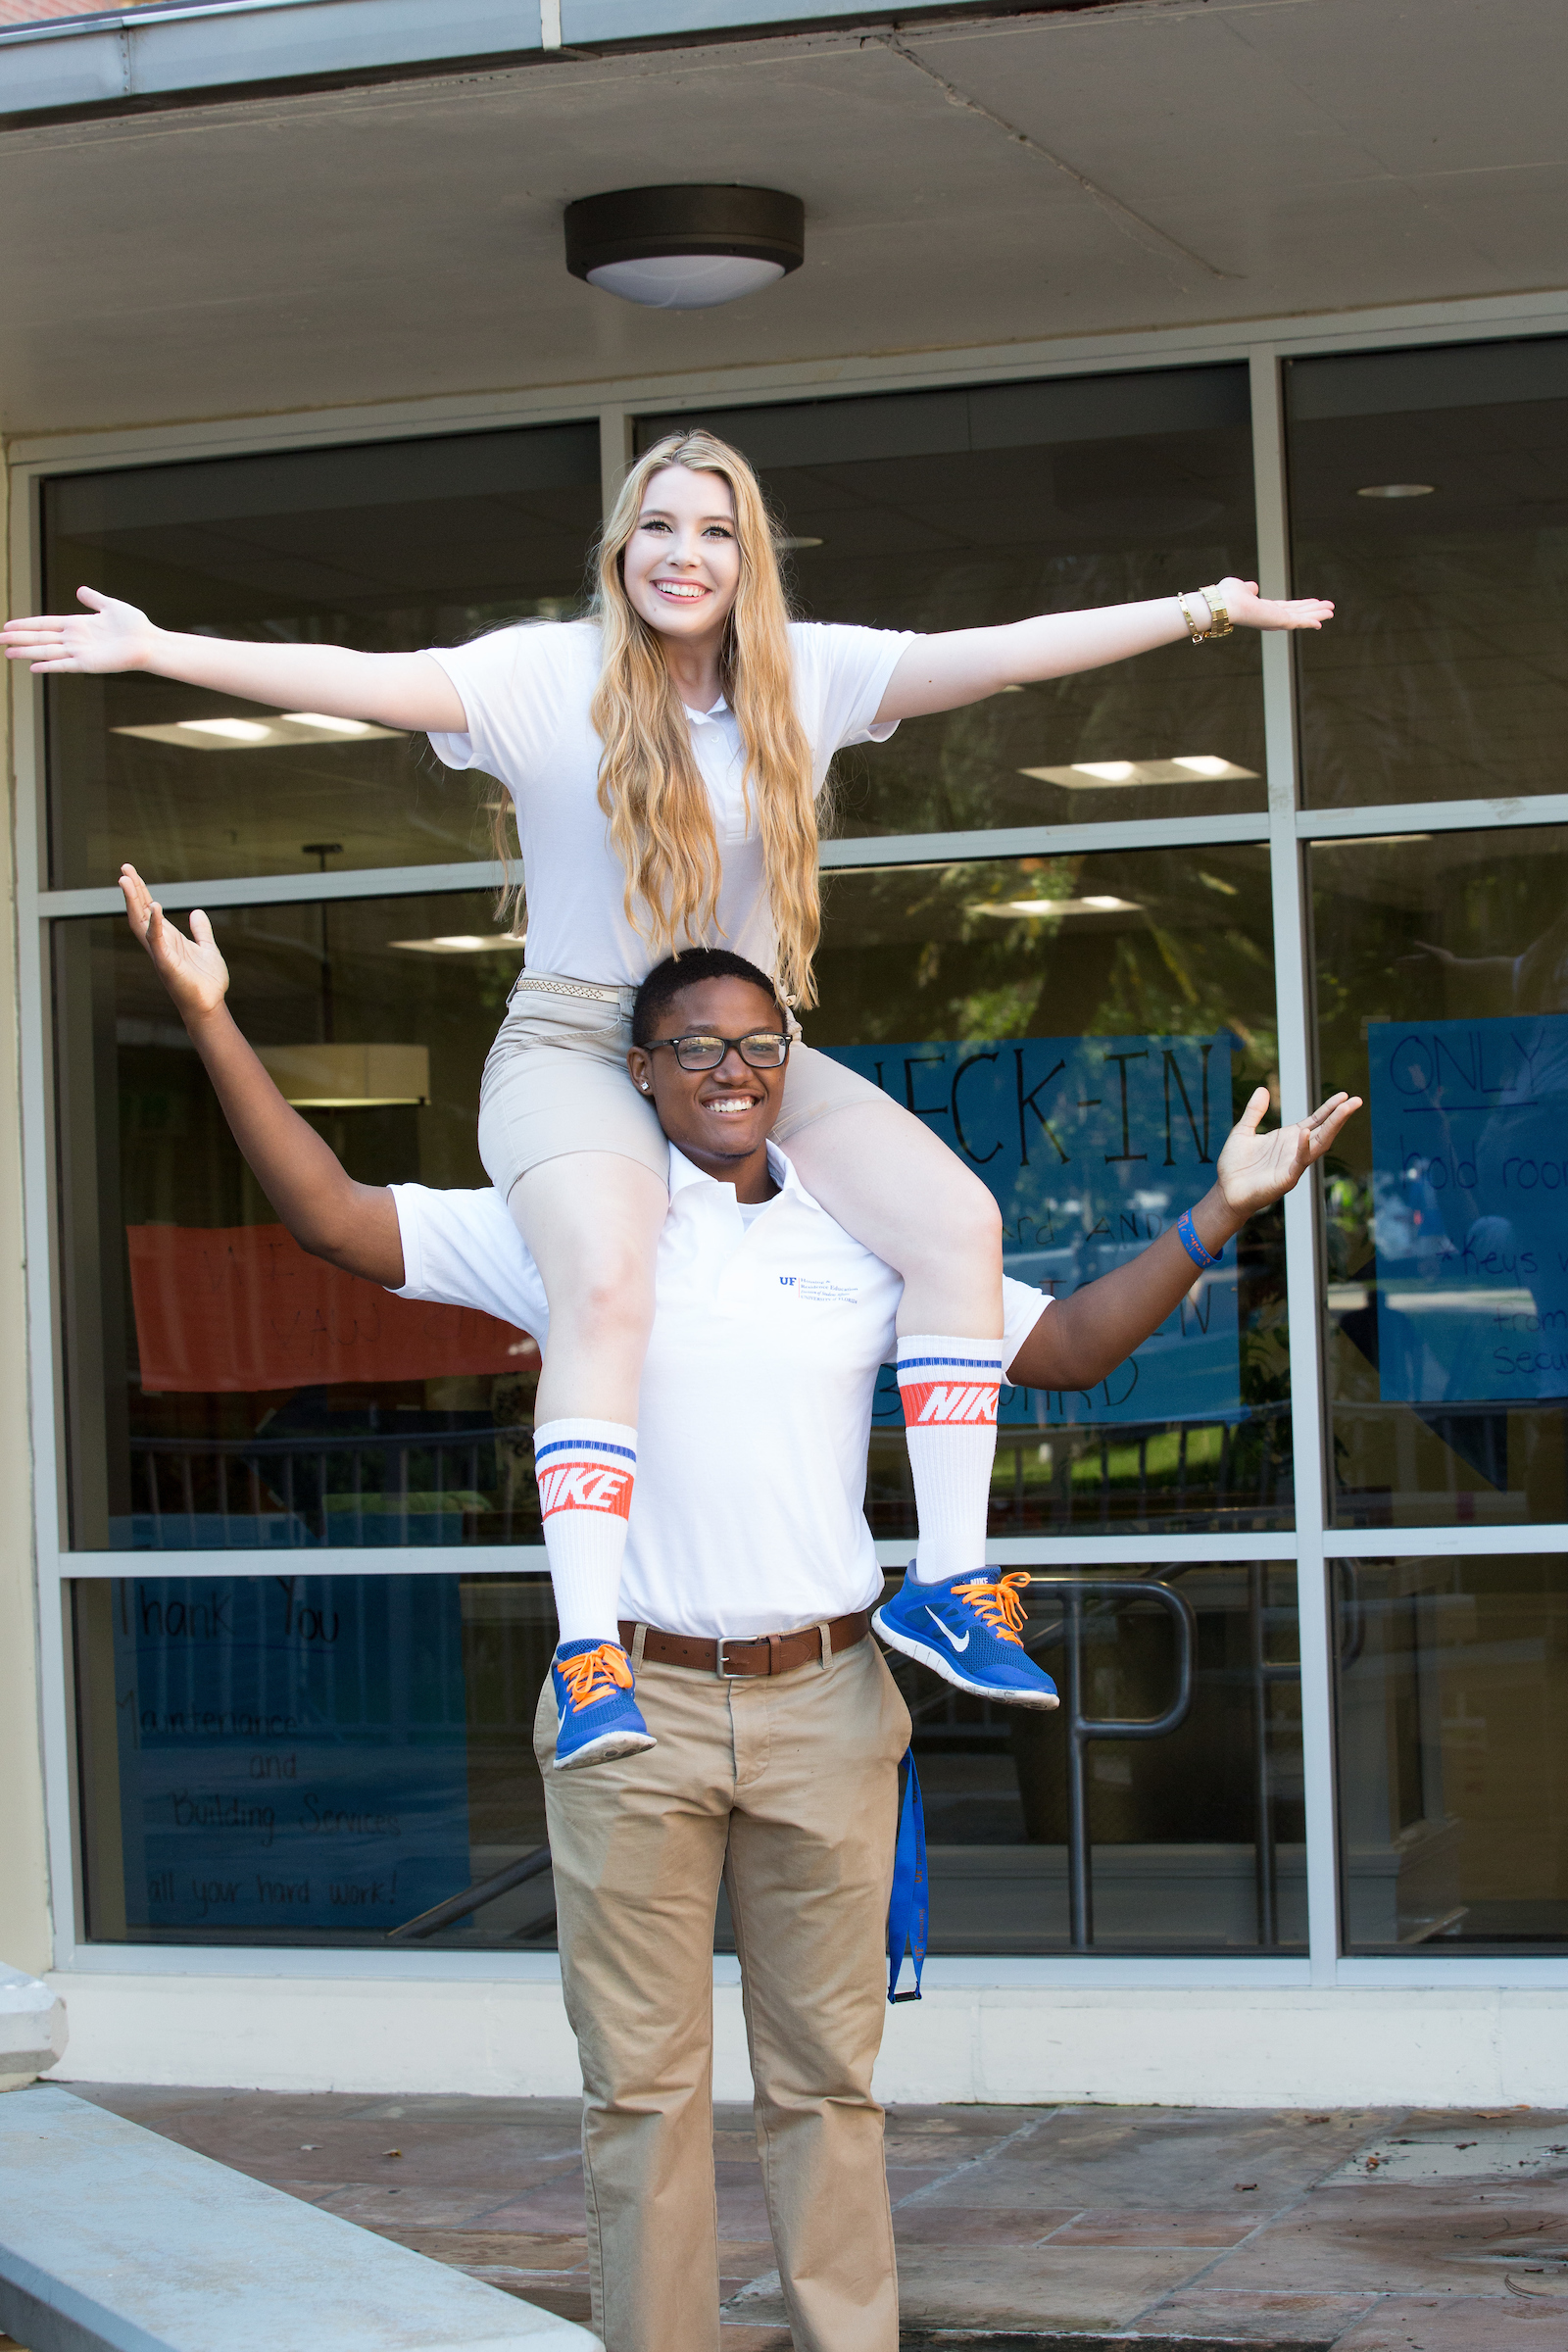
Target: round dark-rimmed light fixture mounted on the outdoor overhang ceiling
(688, 248)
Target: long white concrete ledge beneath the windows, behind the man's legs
(1268, 2045)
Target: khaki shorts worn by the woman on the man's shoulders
(556, 1083)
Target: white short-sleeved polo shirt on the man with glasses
(756, 1408)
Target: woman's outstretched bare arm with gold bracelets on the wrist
(967, 664)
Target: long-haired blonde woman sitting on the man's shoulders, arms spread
(664, 761)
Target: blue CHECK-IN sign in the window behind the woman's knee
(1092, 1147)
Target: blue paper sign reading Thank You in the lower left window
(293, 1751)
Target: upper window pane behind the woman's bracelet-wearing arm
(974, 507)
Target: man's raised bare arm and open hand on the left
(326, 1210)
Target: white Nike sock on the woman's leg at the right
(949, 1391)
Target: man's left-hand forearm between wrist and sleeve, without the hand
(326, 1210)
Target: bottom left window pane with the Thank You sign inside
(311, 1760)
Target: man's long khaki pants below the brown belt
(786, 1789)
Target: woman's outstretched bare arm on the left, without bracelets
(391, 690)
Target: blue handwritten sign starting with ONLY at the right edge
(1470, 1208)
